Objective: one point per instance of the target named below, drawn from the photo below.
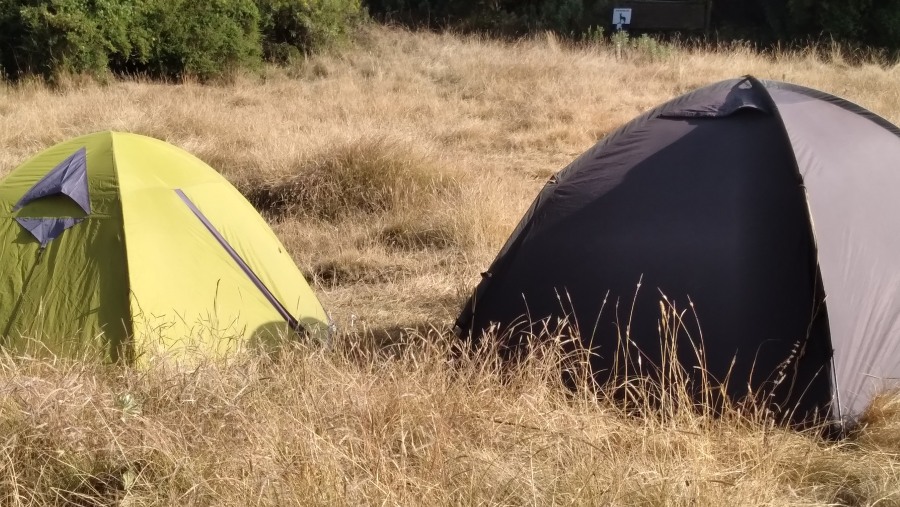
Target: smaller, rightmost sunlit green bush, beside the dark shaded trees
(292, 27)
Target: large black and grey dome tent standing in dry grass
(773, 208)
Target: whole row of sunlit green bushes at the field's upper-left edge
(162, 38)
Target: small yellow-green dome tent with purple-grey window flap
(121, 244)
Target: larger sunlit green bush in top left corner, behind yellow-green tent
(164, 38)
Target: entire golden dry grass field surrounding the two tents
(393, 170)
